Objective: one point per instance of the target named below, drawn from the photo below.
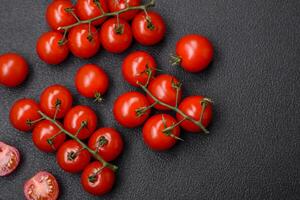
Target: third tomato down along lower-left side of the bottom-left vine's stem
(72, 158)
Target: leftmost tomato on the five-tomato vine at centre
(126, 109)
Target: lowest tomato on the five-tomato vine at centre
(154, 135)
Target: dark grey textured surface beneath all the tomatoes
(253, 151)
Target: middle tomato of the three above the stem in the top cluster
(87, 9)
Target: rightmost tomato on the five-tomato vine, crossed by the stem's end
(192, 106)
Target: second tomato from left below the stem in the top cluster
(81, 43)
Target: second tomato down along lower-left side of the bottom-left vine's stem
(44, 131)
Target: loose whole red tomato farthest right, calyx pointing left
(195, 52)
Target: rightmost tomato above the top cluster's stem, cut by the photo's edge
(116, 5)
